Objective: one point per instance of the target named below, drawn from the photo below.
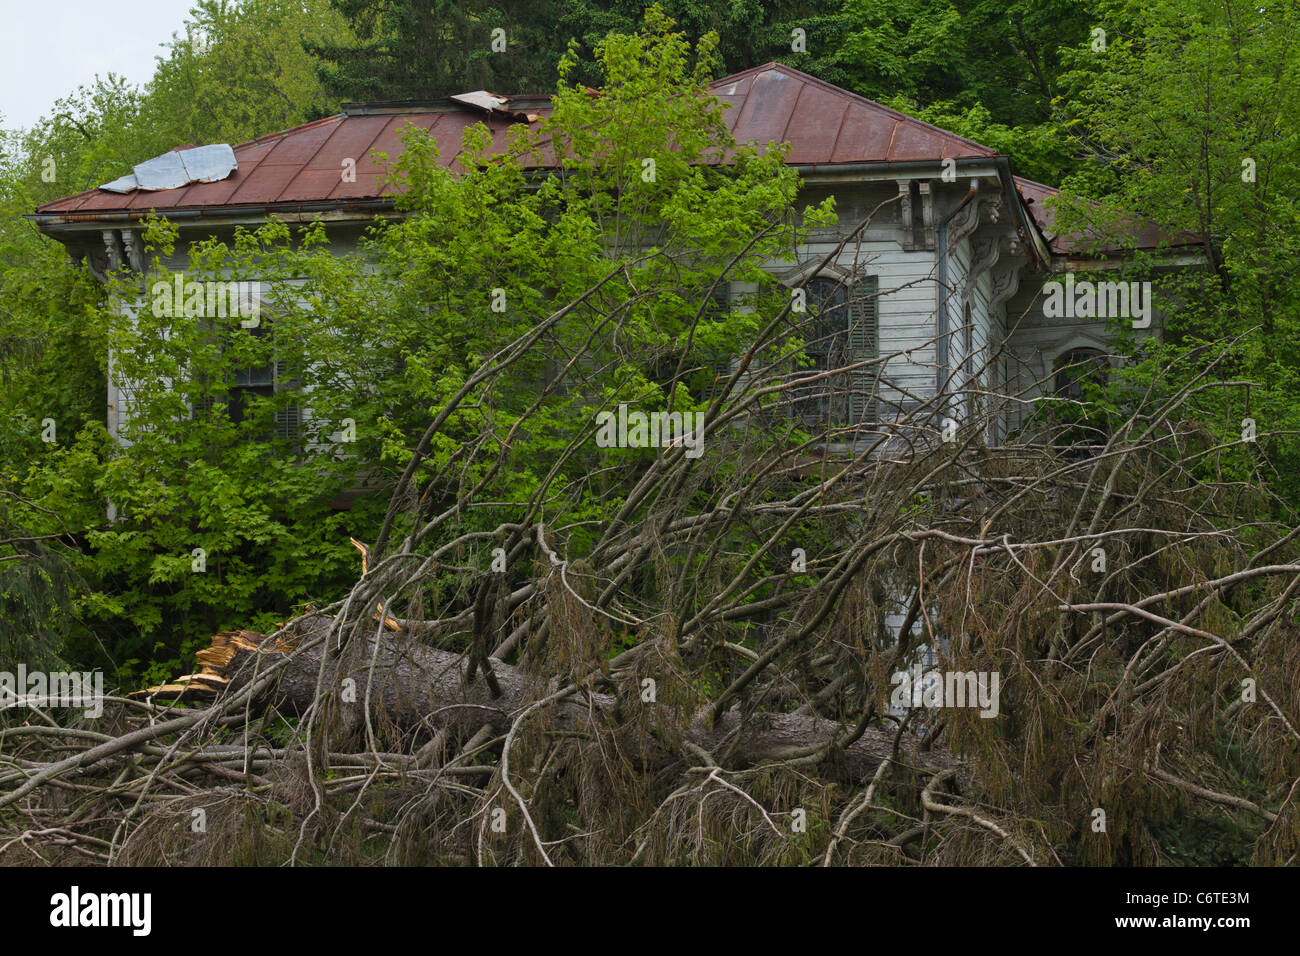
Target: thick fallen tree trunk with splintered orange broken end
(401, 684)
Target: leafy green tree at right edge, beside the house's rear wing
(1191, 116)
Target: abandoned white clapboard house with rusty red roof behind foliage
(948, 280)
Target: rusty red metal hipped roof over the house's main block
(773, 103)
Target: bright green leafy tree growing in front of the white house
(224, 518)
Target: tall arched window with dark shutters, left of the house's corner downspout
(839, 330)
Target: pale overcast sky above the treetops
(50, 47)
